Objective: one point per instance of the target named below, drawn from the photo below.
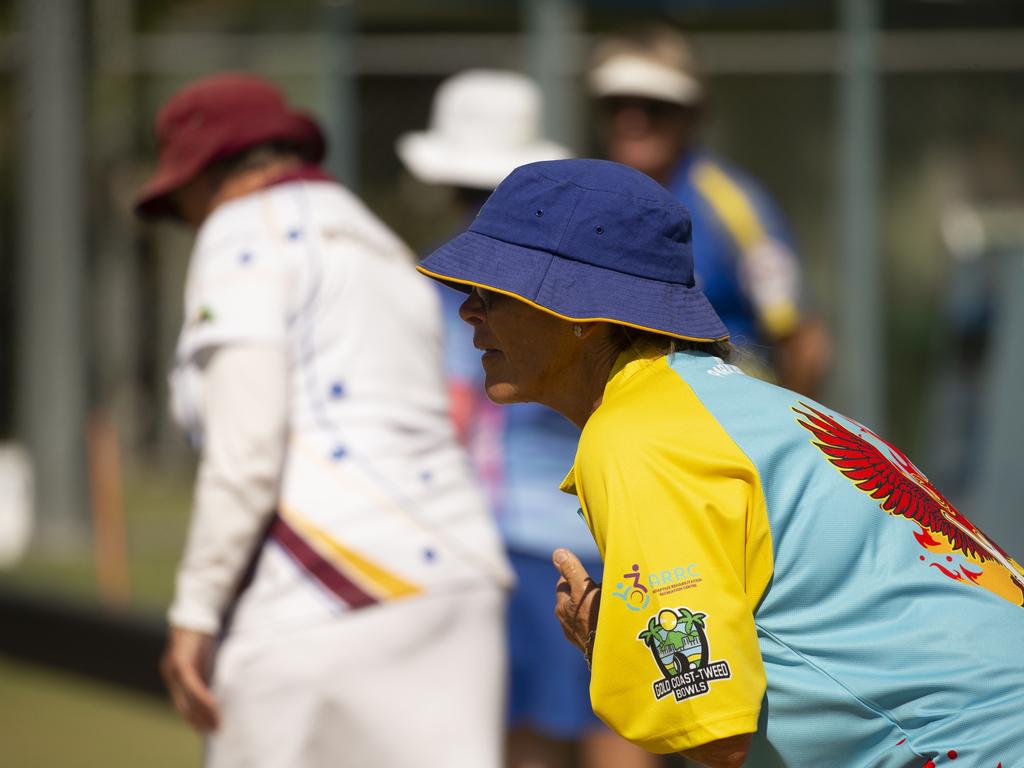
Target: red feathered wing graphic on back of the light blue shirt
(878, 477)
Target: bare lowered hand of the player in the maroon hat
(186, 668)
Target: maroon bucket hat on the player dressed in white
(215, 118)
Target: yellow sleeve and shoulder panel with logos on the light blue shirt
(679, 517)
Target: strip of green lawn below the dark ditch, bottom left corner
(51, 720)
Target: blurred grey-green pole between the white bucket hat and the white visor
(553, 59)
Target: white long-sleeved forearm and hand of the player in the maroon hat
(246, 422)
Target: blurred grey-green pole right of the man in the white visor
(860, 362)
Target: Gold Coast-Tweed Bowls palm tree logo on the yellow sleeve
(678, 642)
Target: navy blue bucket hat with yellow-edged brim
(585, 240)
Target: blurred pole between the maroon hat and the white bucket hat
(340, 94)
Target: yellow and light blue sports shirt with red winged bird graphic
(774, 567)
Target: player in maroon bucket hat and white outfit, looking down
(338, 547)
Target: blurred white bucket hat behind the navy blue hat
(484, 124)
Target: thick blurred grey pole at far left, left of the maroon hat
(52, 367)
